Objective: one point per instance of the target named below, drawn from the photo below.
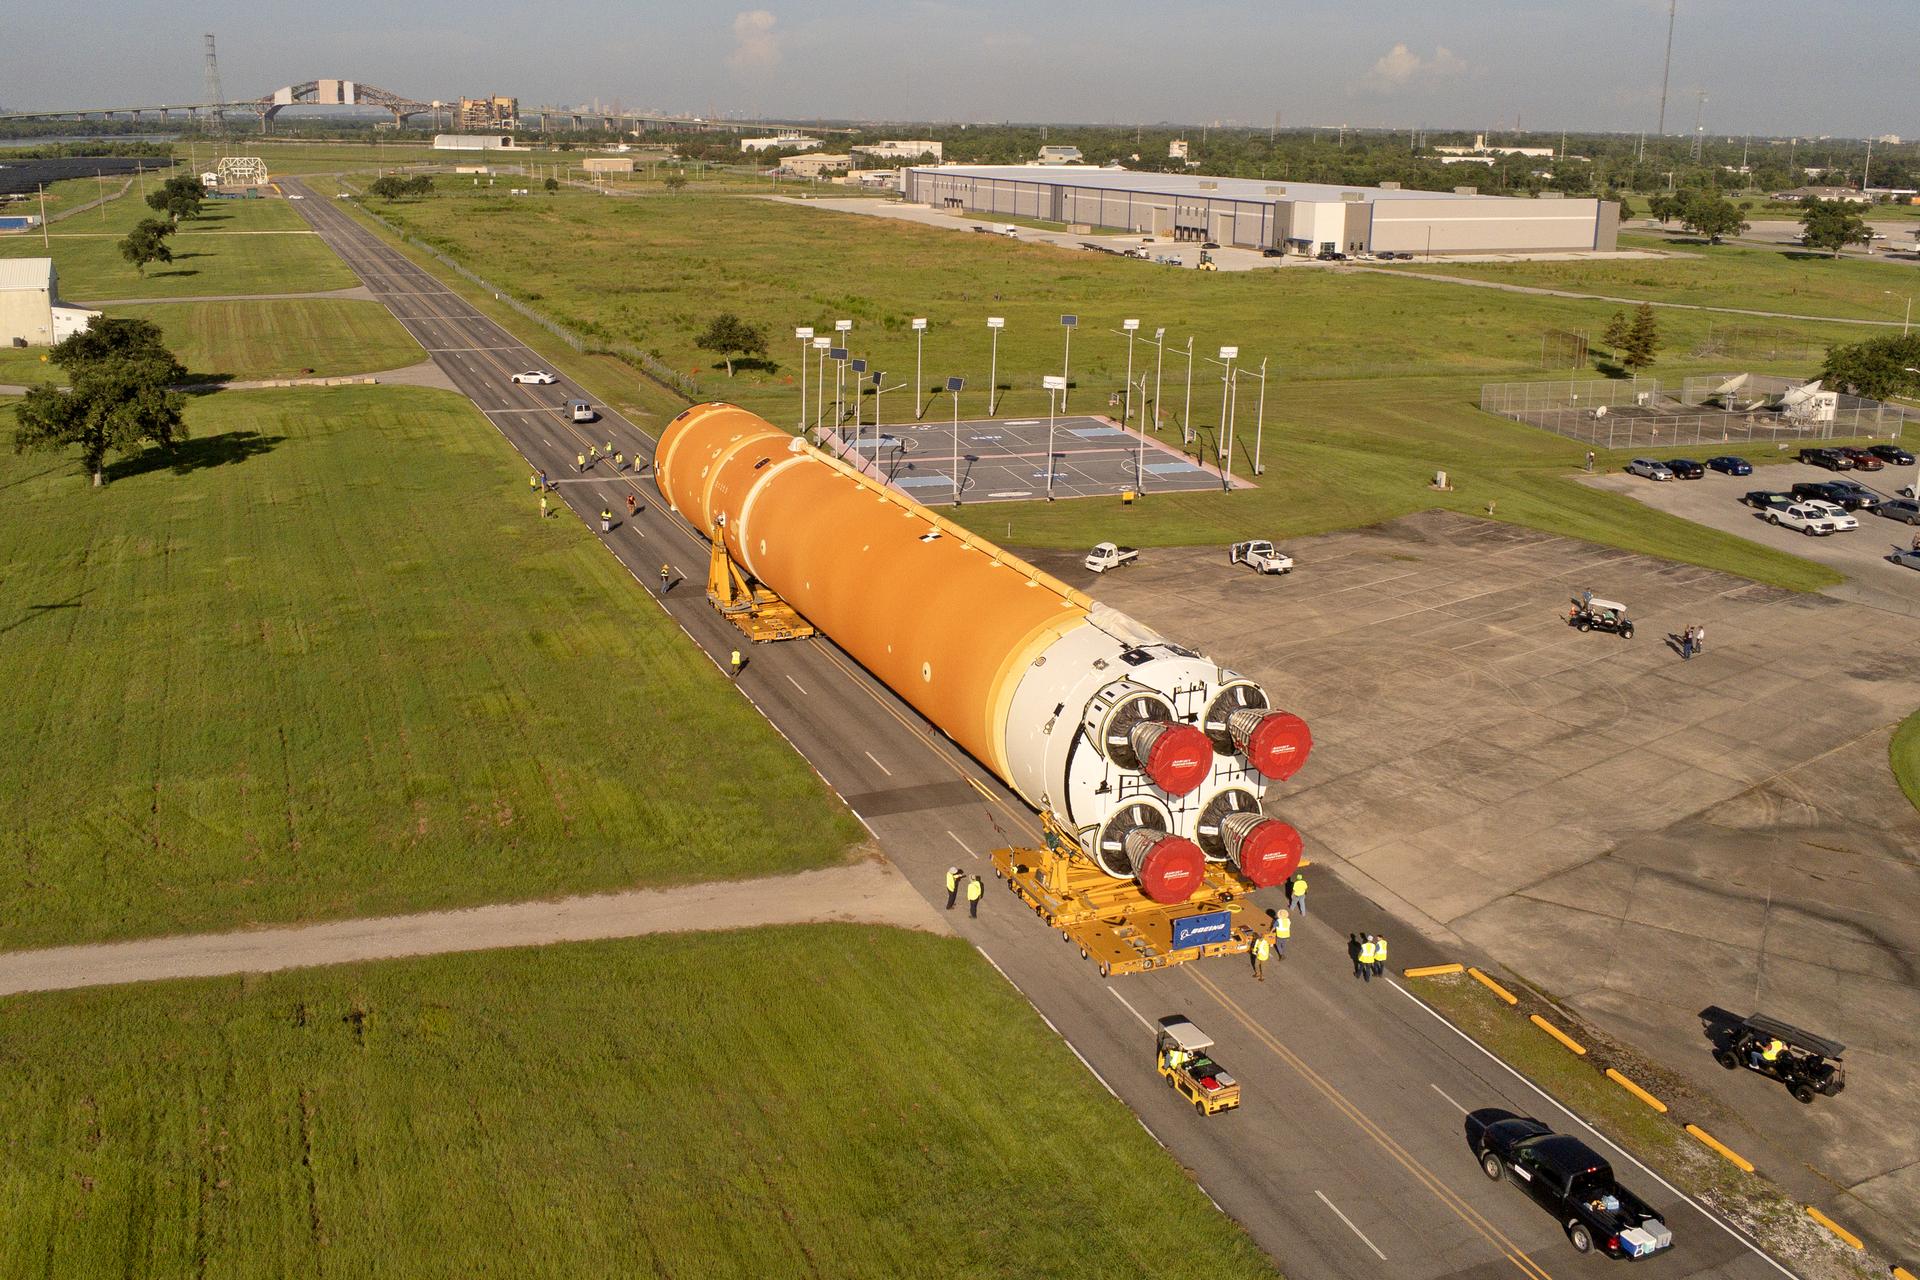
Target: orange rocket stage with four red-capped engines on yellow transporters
(1145, 759)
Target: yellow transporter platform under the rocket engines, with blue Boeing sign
(1111, 920)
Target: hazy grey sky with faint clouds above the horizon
(1767, 66)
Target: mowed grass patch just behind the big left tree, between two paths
(260, 339)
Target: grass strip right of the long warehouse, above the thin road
(1729, 275)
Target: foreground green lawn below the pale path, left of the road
(784, 1102)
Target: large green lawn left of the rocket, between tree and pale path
(337, 665)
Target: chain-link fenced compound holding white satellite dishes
(1637, 414)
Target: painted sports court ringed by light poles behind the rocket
(1005, 462)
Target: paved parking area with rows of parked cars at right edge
(1858, 554)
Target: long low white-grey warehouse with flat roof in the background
(1295, 218)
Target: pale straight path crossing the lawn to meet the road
(871, 893)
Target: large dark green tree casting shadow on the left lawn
(122, 396)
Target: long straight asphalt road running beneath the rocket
(1349, 1156)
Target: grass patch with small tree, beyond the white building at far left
(241, 247)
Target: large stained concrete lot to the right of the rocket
(1635, 834)
